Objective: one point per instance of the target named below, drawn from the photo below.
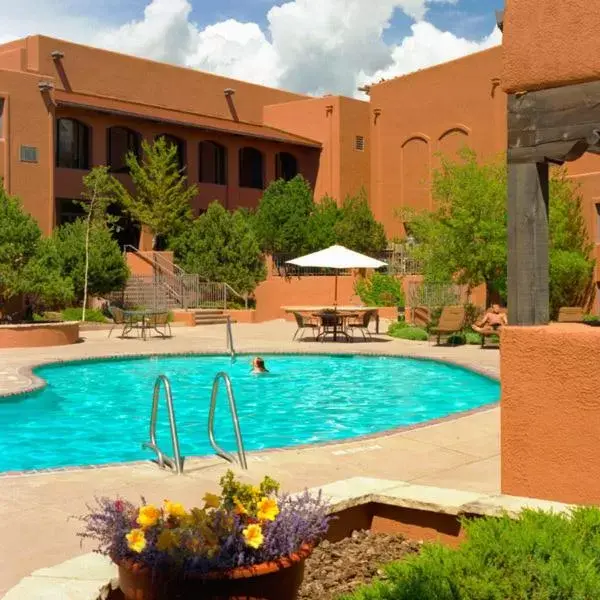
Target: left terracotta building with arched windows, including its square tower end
(65, 108)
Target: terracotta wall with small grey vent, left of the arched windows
(28, 120)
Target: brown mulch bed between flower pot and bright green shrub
(340, 567)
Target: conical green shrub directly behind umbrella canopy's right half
(357, 228)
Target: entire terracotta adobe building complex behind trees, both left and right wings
(66, 107)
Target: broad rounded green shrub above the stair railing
(222, 246)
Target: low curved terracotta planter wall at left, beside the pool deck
(35, 335)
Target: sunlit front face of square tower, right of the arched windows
(317, 119)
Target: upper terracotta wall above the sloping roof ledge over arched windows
(92, 71)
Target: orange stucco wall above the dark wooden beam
(548, 43)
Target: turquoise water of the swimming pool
(96, 412)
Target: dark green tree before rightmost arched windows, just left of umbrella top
(282, 216)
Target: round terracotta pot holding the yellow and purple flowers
(277, 580)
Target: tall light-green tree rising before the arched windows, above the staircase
(162, 196)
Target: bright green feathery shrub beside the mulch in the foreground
(540, 556)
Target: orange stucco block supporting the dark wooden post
(550, 412)
